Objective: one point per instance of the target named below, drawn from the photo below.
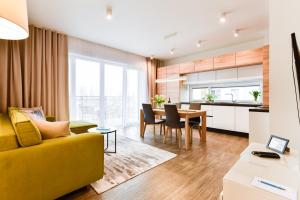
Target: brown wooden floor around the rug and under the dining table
(195, 174)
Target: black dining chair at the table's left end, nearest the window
(149, 118)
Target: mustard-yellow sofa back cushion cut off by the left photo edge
(8, 138)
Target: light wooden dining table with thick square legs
(184, 114)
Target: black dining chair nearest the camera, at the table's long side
(173, 122)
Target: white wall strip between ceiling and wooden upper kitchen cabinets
(228, 49)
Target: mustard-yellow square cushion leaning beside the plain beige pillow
(26, 131)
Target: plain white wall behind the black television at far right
(284, 19)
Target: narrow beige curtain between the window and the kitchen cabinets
(152, 64)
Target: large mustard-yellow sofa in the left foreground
(48, 170)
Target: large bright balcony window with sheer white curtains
(104, 93)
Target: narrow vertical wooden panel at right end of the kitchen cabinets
(266, 75)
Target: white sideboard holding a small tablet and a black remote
(237, 182)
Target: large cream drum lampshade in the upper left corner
(13, 20)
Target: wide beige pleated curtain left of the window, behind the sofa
(34, 72)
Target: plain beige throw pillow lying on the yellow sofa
(50, 130)
